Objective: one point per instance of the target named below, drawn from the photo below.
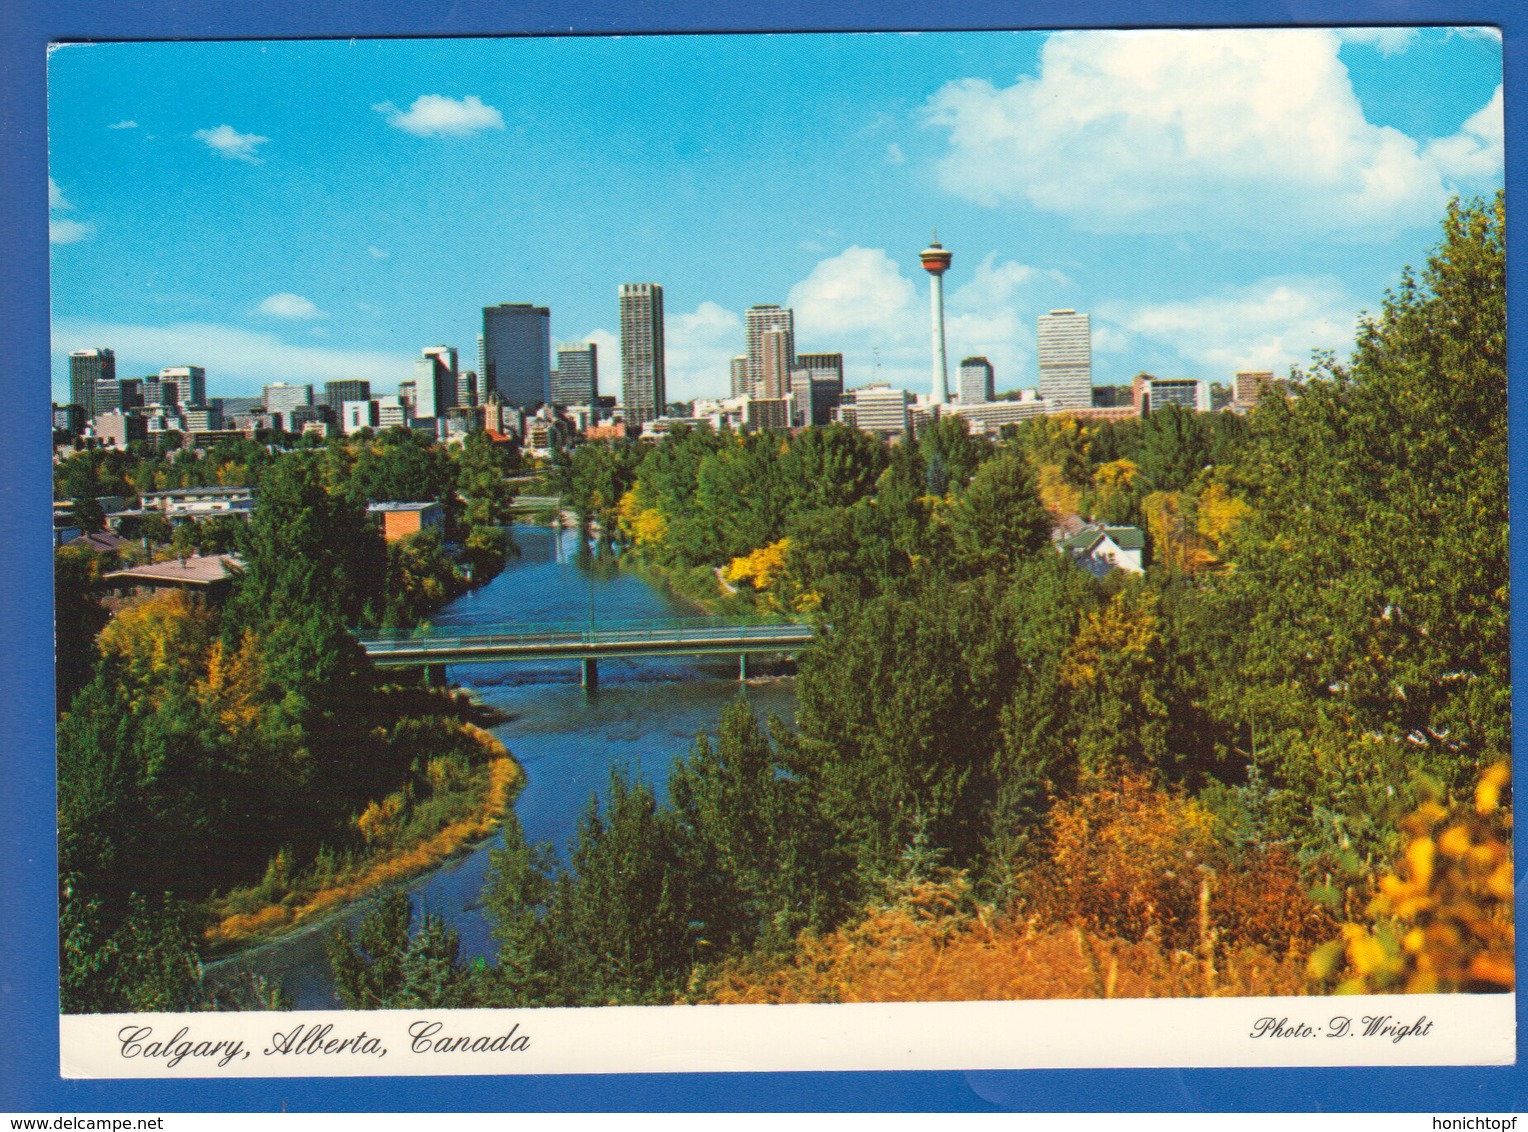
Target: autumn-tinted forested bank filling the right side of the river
(1274, 763)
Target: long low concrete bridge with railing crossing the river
(588, 644)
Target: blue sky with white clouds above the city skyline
(309, 212)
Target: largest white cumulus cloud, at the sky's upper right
(1232, 132)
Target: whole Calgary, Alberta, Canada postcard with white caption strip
(766, 554)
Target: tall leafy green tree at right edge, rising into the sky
(1367, 613)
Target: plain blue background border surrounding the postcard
(28, 923)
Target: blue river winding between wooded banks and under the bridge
(646, 714)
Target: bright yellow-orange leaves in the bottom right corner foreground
(1443, 919)
